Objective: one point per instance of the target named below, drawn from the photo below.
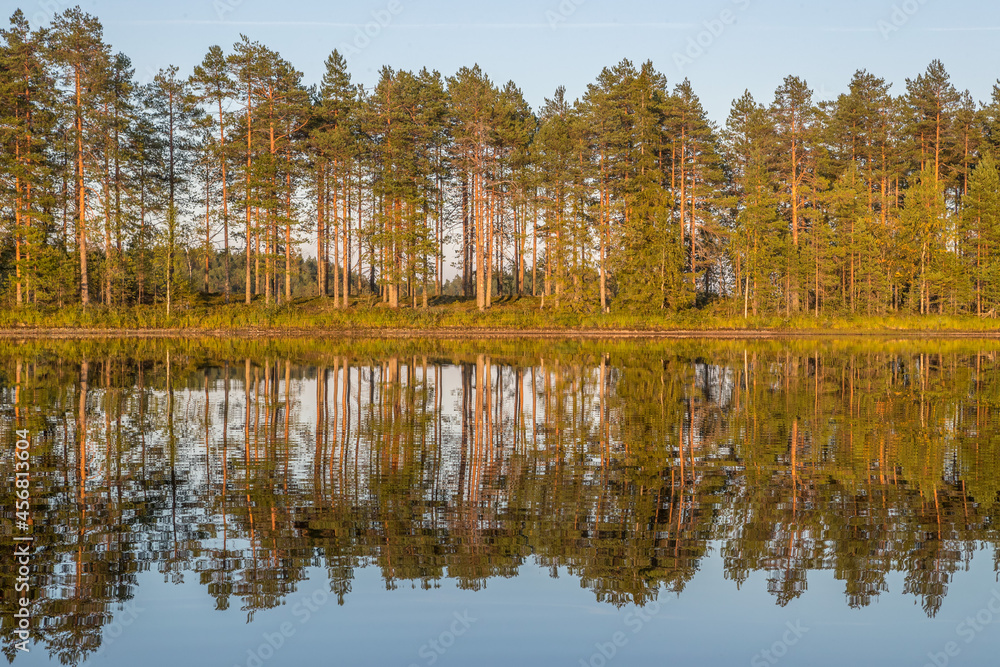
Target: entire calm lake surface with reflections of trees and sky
(374, 503)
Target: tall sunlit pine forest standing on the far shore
(242, 181)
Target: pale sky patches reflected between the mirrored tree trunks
(197, 442)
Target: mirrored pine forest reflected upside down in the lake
(244, 464)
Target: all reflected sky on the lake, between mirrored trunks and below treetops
(532, 619)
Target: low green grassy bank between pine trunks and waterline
(448, 313)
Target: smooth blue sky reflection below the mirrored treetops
(535, 619)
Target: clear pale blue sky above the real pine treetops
(823, 42)
